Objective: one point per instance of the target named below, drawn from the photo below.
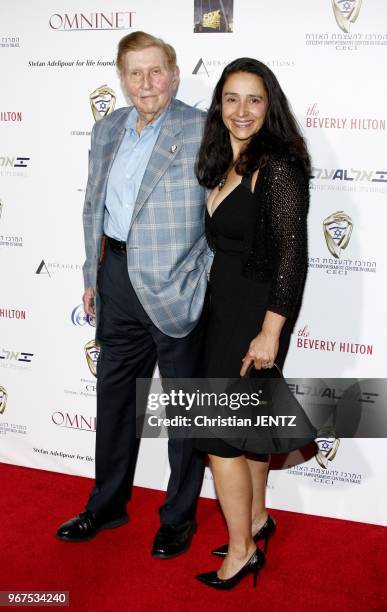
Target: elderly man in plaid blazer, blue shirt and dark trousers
(143, 221)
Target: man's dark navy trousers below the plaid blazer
(130, 347)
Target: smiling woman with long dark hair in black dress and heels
(255, 160)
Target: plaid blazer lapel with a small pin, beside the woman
(167, 146)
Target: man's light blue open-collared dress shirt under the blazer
(126, 175)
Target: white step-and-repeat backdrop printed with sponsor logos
(58, 78)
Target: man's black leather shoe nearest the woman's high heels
(173, 540)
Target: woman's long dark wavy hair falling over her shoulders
(279, 134)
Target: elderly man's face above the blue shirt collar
(149, 81)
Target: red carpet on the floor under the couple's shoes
(313, 563)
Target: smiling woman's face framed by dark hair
(244, 106)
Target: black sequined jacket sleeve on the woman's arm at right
(287, 207)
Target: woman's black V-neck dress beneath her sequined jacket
(237, 304)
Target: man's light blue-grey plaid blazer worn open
(167, 254)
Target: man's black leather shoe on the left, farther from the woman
(87, 524)
